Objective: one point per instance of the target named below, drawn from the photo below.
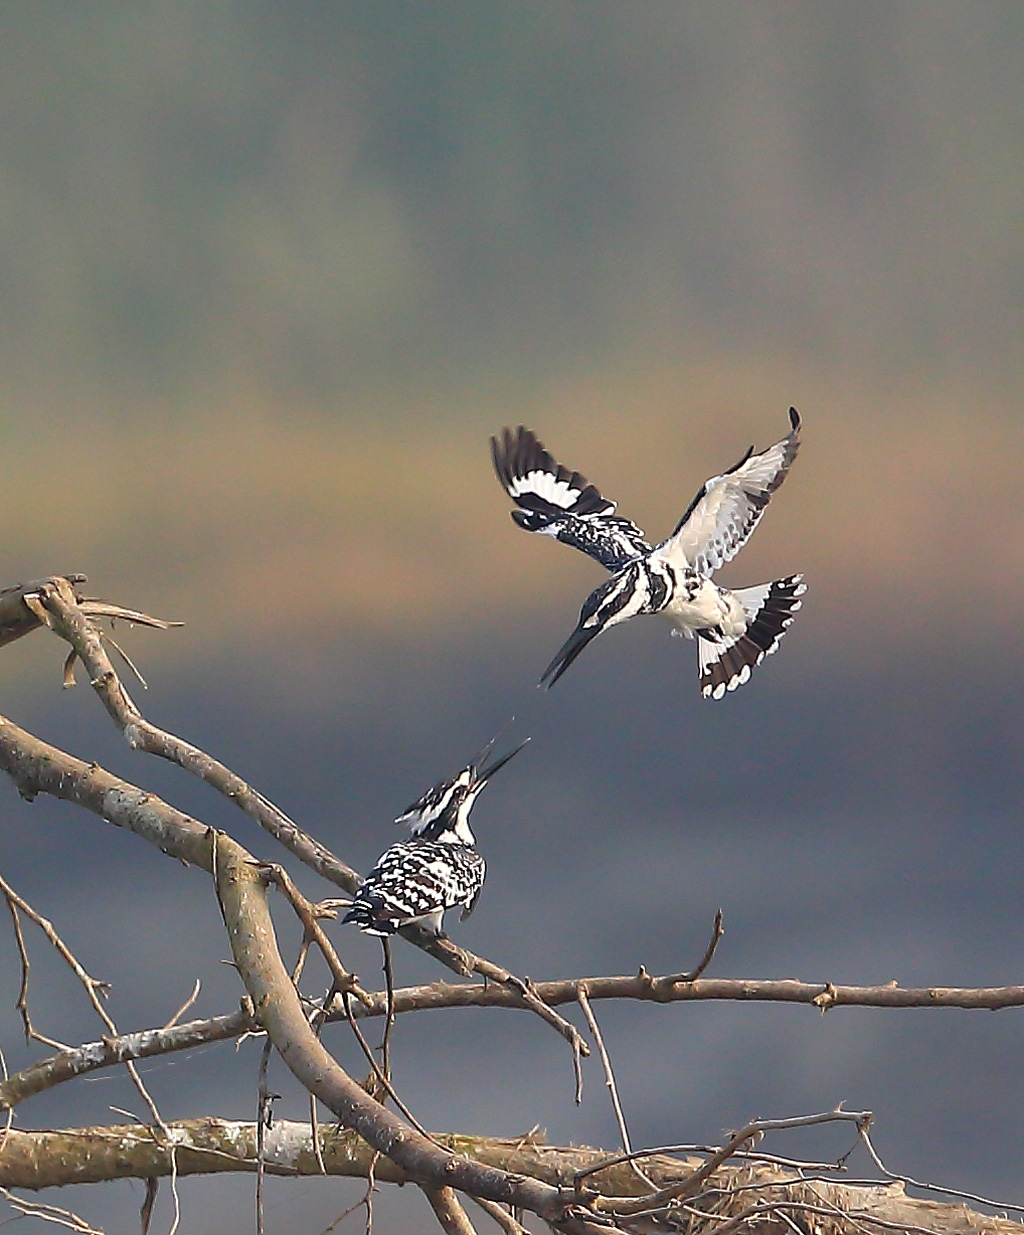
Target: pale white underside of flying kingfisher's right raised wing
(729, 507)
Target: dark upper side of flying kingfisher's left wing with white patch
(556, 502)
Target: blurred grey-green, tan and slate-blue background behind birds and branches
(270, 278)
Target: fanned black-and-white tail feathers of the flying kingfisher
(770, 609)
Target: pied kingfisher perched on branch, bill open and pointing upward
(439, 866)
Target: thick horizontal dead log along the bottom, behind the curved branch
(208, 1147)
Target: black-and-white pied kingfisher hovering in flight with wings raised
(734, 630)
